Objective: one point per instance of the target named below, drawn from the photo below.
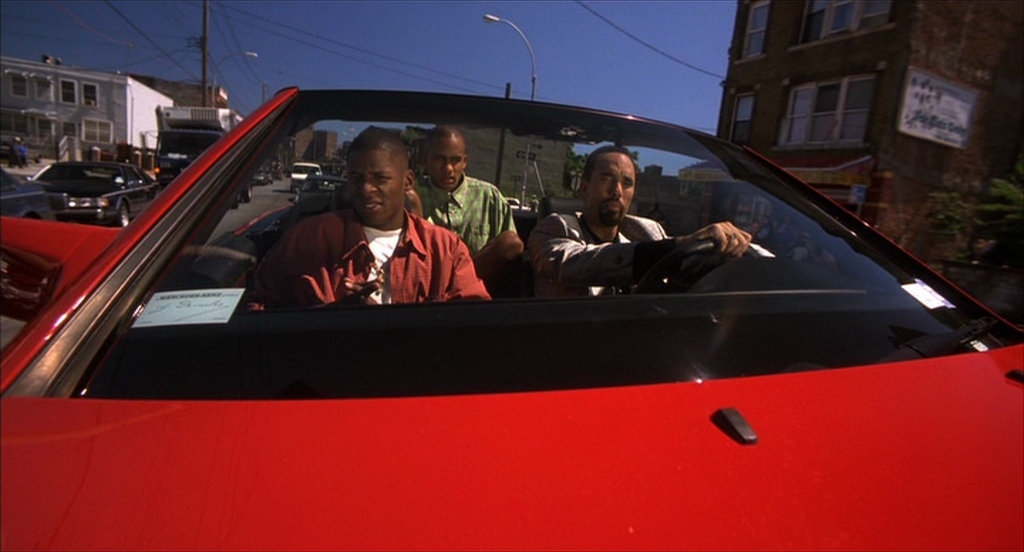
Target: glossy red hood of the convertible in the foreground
(921, 455)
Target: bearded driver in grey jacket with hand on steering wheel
(605, 250)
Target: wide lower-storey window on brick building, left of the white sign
(829, 113)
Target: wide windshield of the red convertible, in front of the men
(817, 295)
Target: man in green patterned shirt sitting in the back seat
(474, 209)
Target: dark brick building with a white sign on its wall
(881, 103)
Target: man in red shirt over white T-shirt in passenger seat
(375, 253)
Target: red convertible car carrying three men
(832, 393)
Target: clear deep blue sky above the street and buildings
(660, 60)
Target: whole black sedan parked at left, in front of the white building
(97, 193)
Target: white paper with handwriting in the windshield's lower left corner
(184, 308)
